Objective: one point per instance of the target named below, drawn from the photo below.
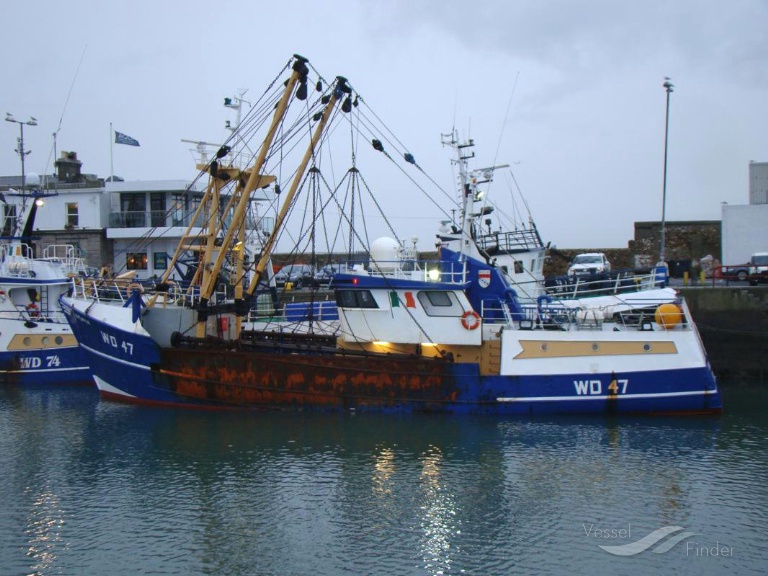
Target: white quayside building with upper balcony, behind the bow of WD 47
(131, 225)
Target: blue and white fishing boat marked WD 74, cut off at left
(37, 345)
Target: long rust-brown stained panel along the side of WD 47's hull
(252, 379)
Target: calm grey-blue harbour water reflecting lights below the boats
(91, 487)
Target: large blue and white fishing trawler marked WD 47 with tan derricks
(458, 333)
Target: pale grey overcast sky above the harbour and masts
(568, 93)
